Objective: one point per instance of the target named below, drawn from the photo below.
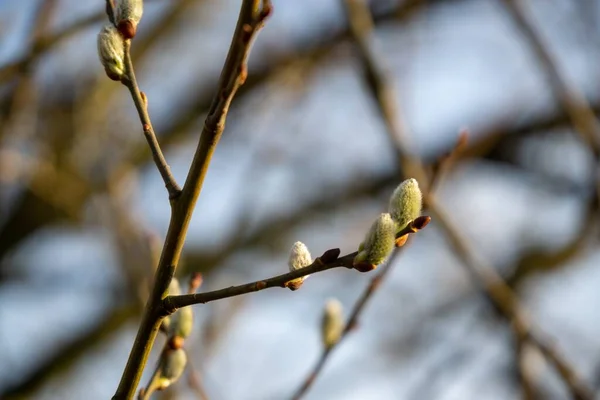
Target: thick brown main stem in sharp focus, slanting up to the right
(251, 18)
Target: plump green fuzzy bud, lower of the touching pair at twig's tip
(378, 244)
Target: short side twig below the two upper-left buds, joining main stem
(141, 104)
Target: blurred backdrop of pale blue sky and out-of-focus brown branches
(304, 157)
